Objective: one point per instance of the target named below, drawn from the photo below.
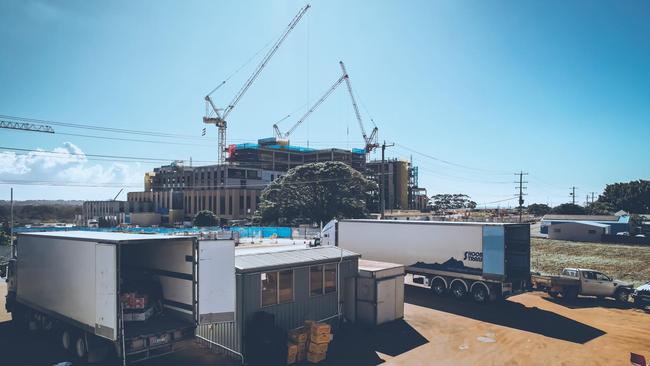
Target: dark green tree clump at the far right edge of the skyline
(633, 196)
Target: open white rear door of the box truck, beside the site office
(216, 281)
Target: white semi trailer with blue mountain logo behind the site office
(485, 260)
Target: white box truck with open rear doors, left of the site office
(72, 284)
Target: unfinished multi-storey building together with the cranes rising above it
(231, 189)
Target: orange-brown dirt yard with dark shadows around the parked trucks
(529, 329)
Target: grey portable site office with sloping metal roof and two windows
(262, 284)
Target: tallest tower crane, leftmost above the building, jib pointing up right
(217, 116)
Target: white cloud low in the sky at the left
(65, 165)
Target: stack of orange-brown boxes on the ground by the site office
(309, 342)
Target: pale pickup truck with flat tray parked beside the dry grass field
(578, 281)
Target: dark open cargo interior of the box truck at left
(156, 294)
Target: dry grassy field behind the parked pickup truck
(623, 262)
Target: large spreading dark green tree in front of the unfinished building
(316, 192)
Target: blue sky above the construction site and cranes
(473, 90)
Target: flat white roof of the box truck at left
(102, 236)
